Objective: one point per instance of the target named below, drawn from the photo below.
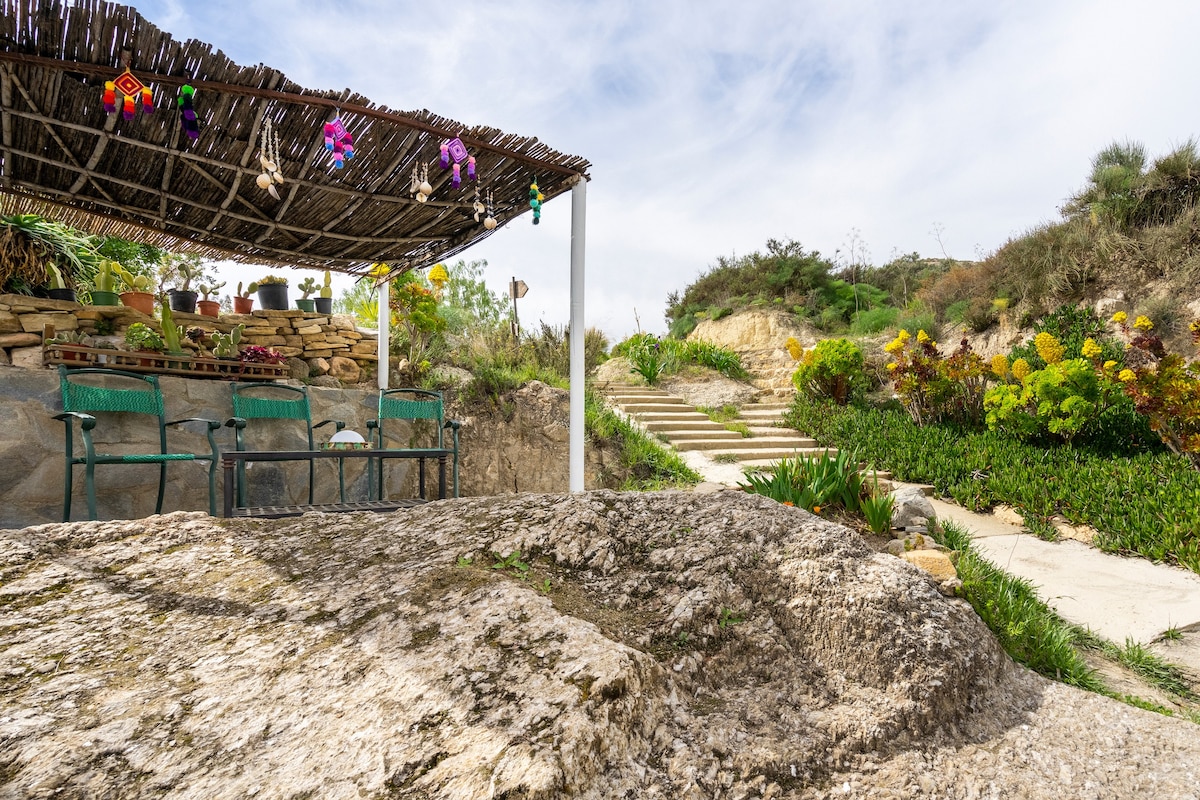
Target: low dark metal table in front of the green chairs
(230, 461)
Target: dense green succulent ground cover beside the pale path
(1143, 503)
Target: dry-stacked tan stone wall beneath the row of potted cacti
(326, 345)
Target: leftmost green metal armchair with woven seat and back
(121, 393)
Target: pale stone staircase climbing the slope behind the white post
(687, 430)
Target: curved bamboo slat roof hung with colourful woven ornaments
(64, 157)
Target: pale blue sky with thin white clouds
(863, 130)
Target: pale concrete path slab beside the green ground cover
(1117, 597)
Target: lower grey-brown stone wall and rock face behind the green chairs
(521, 448)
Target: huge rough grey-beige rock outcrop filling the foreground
(641, 646)
